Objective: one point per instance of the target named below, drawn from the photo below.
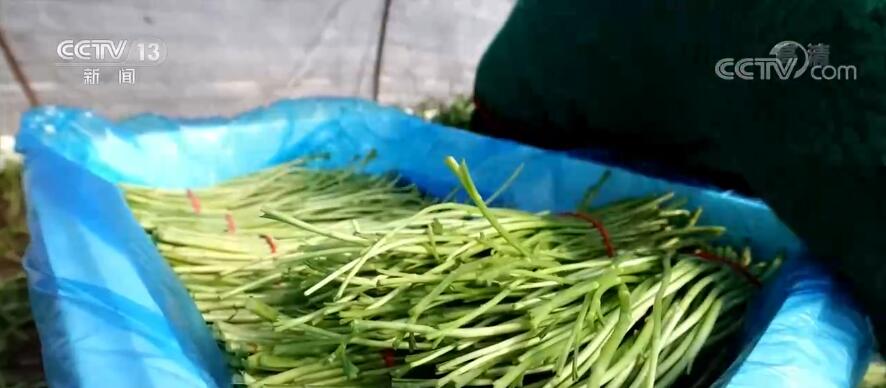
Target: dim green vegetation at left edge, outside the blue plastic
(19, 345)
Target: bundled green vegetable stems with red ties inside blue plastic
(335, 278)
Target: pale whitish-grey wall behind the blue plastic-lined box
(226, 56)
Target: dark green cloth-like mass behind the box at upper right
(637, 78)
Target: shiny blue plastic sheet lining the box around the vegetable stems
(111, 313)
